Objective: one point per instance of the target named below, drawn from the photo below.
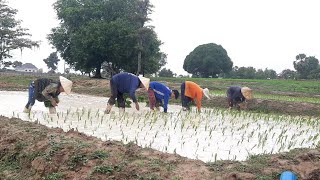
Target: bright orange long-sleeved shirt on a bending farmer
(194, 91)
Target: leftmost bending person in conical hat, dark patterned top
(47, 91)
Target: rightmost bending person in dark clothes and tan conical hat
(238, 96)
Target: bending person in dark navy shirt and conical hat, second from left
(125, 83)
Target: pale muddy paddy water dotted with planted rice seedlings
(211, 135)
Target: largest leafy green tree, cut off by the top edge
(99, 32)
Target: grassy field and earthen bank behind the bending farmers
(293, 97)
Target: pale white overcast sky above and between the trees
(258, 33)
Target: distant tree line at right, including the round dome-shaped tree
(212, 60)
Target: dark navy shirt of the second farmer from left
(126, 83)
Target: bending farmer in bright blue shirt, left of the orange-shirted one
(158, 92)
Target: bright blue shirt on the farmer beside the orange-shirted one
(161, 92)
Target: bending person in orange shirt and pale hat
(191, 91)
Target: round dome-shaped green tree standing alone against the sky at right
(208, 60)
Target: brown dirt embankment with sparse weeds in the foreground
(32, 151)
